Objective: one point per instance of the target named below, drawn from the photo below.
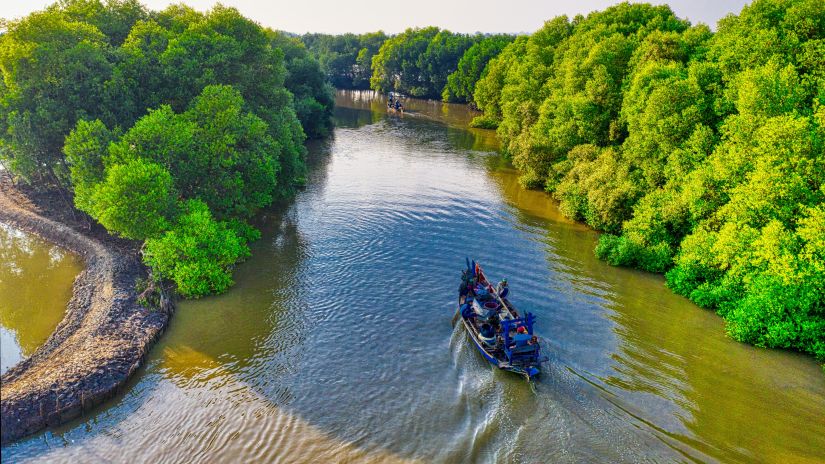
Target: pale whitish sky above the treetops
(335, 17)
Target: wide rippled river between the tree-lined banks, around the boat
(336, 344)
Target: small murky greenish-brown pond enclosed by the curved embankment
(35, 285)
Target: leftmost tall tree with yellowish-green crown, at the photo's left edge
(54, 69)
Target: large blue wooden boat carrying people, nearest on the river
(503, 336)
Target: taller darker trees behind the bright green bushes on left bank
(90, 60)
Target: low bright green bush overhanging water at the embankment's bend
(197, 253)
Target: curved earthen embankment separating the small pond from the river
(105, 334)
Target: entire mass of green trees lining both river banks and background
(700, 154)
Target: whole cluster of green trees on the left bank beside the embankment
(143, 114)
